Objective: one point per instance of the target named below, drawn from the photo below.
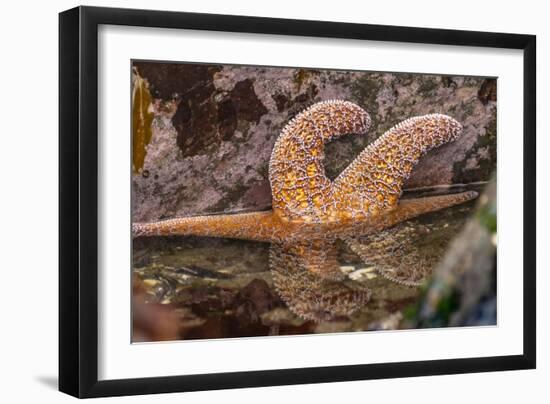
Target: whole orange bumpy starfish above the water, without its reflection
(306, 205)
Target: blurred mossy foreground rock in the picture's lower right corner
(463, 289)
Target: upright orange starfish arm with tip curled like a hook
(299, 186)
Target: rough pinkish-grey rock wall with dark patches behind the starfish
(215, 126)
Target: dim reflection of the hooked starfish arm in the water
(309, 295)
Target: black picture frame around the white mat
(78, 201)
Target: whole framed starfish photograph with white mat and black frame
(251, 201)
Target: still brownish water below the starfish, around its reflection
(198, 287)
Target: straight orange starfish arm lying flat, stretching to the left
(259, 226)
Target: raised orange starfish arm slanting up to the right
(373, 181)
